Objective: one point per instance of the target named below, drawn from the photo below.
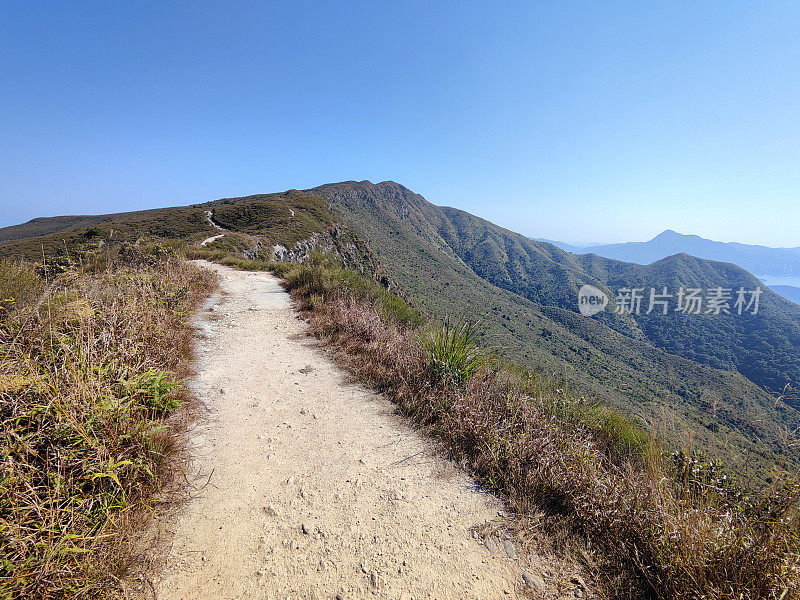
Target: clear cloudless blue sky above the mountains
(589, 121)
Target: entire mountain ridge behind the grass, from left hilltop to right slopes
(524, 292)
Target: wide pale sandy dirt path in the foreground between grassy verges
(316, 489)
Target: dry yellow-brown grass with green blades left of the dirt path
(91, 363)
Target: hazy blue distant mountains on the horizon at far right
(777, 267)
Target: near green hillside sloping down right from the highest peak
(468, 267)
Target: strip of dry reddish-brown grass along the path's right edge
(660, 526)
